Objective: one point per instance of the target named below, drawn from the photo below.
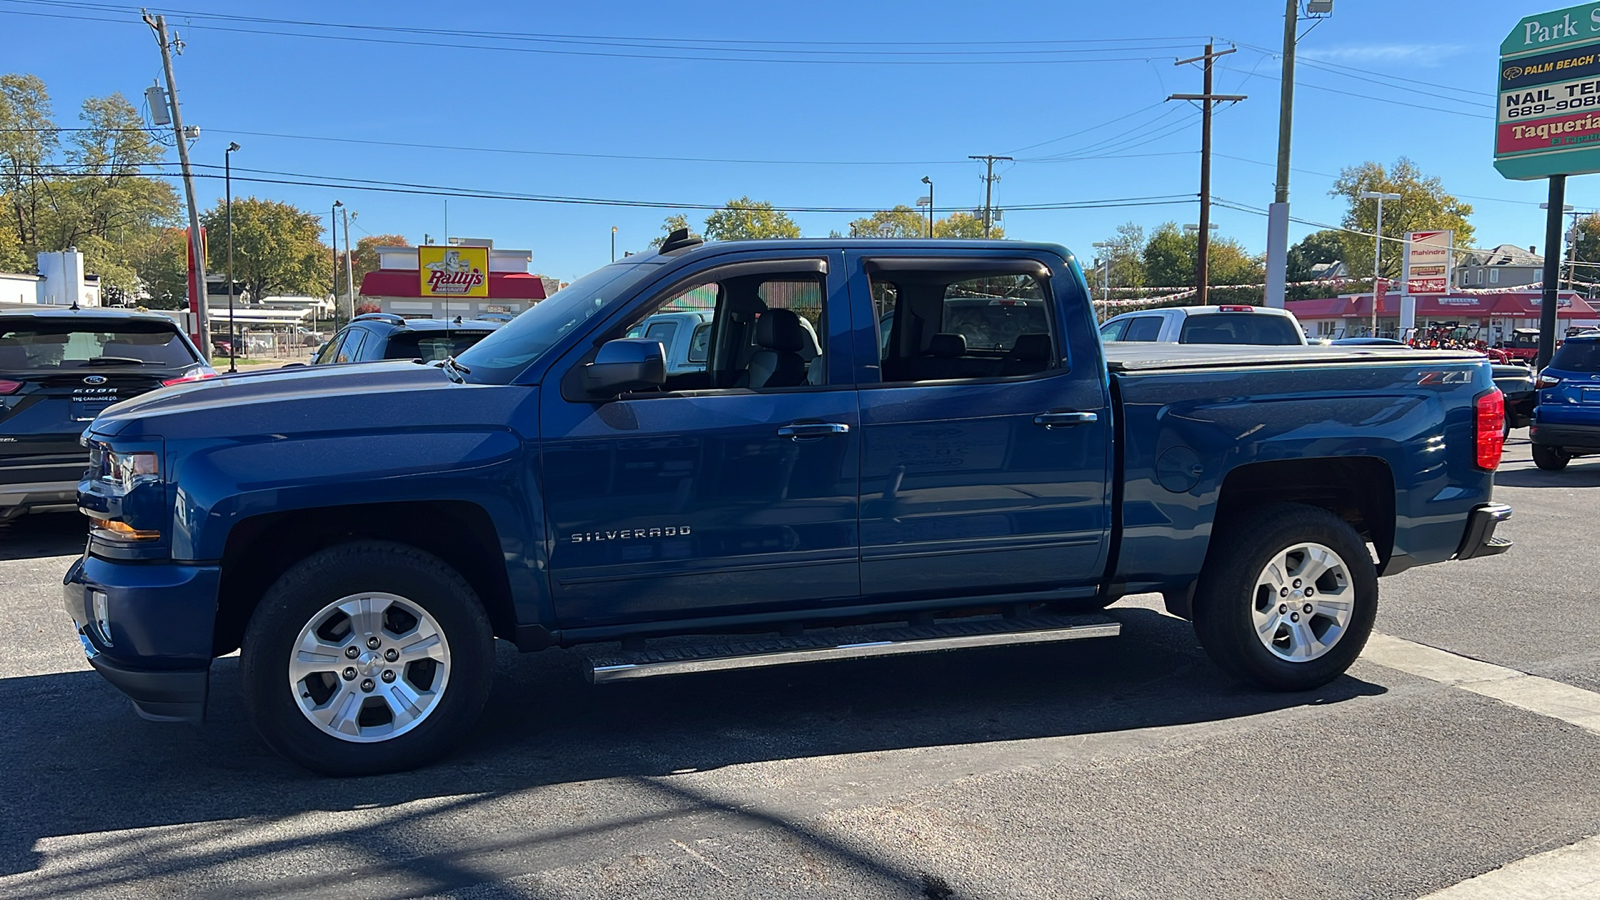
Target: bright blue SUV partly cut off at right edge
(1567, 420)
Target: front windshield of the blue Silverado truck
(505, 355)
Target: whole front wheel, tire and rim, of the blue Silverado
(367, 657)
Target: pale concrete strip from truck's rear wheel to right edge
(1535, 694)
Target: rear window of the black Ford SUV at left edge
(89, 344)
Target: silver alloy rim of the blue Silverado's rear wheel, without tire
(1303, 603)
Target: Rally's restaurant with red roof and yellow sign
(466, 278)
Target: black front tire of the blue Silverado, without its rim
(426, 585)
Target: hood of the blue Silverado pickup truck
(377, 398)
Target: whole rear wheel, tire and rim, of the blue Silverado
(1287, 598)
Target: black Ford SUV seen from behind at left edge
(58, 371)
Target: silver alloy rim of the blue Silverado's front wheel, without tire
(370, 667)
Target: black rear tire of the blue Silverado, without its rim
(1228, 597)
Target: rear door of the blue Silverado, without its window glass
(964, 492)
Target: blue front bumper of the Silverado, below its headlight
(156, 638)
